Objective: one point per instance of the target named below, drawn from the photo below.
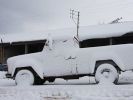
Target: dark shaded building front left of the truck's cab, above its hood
(19, 49)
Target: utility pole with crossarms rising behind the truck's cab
(74, 15)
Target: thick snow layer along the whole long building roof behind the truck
(86, 32)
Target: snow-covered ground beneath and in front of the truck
(82, 89)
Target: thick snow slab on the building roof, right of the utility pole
(105, 30)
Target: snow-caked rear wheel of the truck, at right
(106, 73)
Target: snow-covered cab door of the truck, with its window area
(60, 60)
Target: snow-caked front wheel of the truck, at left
(24, 77)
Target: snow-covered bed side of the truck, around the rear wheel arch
(108, 53)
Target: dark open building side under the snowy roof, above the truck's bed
(124, 39)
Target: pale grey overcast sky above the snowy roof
(19, 16)
